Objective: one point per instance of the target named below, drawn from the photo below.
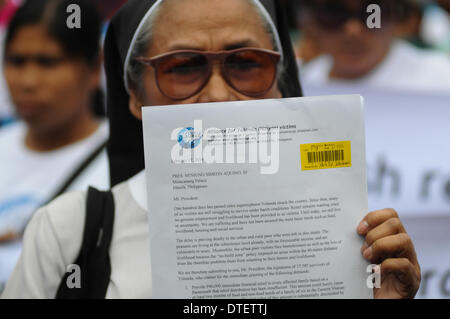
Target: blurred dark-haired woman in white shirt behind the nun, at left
(52, 73)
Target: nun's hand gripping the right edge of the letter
(388, 245)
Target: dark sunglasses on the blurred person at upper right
(333, 15)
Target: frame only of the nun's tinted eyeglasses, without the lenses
(211, 57)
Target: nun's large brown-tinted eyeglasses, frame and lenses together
(182, 74)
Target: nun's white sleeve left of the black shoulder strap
(51, 242)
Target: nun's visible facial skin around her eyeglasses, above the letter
(212, 25)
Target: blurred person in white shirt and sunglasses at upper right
(354, 54)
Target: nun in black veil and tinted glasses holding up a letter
(160, 53)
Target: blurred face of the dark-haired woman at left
(48, 89)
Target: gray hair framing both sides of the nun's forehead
(135, 70)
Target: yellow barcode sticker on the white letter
(325, 155)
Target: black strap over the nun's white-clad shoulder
(93, 260)
